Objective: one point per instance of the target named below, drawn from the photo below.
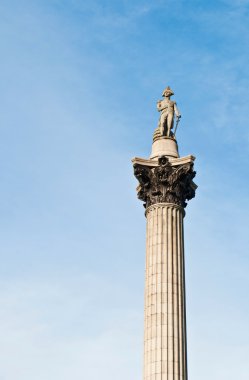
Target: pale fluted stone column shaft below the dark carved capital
(165, 349)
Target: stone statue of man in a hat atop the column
(168, 109)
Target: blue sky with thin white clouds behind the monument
(79, 85)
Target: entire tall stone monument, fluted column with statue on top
(165, 184)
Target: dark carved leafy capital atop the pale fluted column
(165, 183)
